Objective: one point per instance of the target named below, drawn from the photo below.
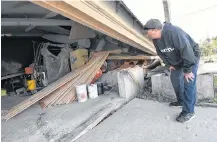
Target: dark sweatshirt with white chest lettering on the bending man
(177, 48)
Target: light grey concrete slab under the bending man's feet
(149, 121)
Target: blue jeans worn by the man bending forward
(185, 91)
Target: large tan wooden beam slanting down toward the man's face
(86, 14)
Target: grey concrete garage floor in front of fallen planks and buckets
(37, 125)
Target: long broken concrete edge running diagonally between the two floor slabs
(94, 120)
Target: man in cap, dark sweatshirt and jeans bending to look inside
(181, 54)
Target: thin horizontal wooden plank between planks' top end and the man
(141, 57)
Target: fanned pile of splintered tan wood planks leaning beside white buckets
(63, 90)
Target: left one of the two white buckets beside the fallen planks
(81, 92)
